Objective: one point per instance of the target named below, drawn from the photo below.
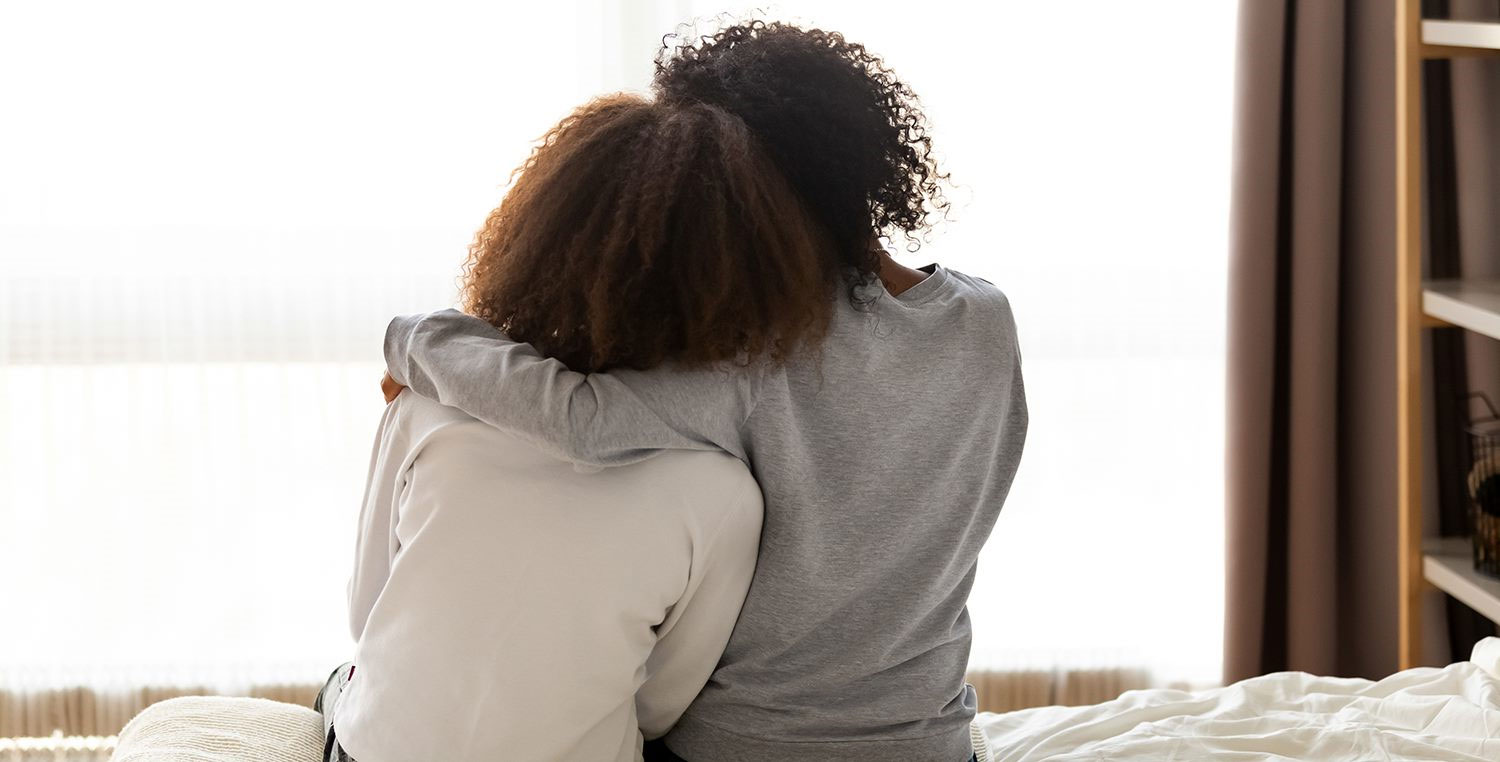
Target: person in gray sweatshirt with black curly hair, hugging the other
(884, 454)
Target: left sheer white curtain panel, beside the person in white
(208, 214)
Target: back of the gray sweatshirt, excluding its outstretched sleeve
(884, 458)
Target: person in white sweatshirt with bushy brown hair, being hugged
(508, 605)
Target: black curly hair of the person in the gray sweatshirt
(842, 127)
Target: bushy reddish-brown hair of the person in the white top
(643, 232)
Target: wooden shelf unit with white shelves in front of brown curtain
(1474, 305)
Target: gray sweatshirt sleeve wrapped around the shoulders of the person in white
(592, 419)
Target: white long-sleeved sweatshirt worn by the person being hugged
(511, 607)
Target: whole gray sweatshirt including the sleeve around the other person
(884, 461)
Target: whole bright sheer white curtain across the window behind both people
(209, 211)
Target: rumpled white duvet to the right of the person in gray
(1427, 715)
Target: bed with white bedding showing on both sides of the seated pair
(1450, 715)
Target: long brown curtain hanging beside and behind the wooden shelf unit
(1312, 571)
